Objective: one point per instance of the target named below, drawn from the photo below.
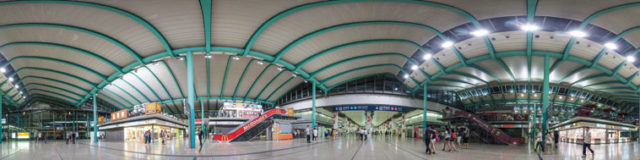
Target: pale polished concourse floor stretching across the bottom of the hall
(378, 147)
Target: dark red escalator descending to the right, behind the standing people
(494, 132)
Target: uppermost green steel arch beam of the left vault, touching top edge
(127, 14)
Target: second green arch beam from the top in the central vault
(352, 24)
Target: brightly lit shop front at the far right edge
(602, 131)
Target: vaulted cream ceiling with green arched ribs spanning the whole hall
(130, 52)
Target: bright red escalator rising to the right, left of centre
(251, 128)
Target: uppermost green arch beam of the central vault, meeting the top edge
(290, 11)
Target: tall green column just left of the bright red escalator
(191, 99)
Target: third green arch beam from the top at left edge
(85, 52)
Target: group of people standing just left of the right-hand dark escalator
(459, 135)
